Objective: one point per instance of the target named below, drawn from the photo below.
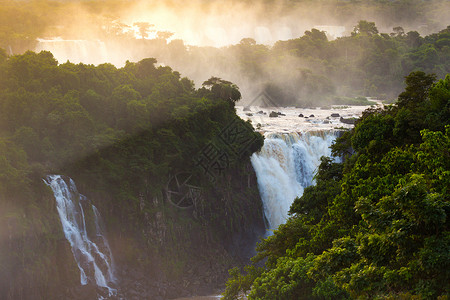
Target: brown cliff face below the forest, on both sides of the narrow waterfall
(160, 251)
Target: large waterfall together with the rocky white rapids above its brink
(293, 145)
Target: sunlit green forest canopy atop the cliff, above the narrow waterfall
(60, 114)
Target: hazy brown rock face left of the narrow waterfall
(45, 268)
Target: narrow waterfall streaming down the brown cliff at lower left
(89, 244)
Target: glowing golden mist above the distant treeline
(221, 23)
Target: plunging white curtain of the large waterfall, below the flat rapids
(285, 166)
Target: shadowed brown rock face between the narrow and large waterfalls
(171, 253)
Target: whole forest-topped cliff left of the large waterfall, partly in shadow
(121, 134)
